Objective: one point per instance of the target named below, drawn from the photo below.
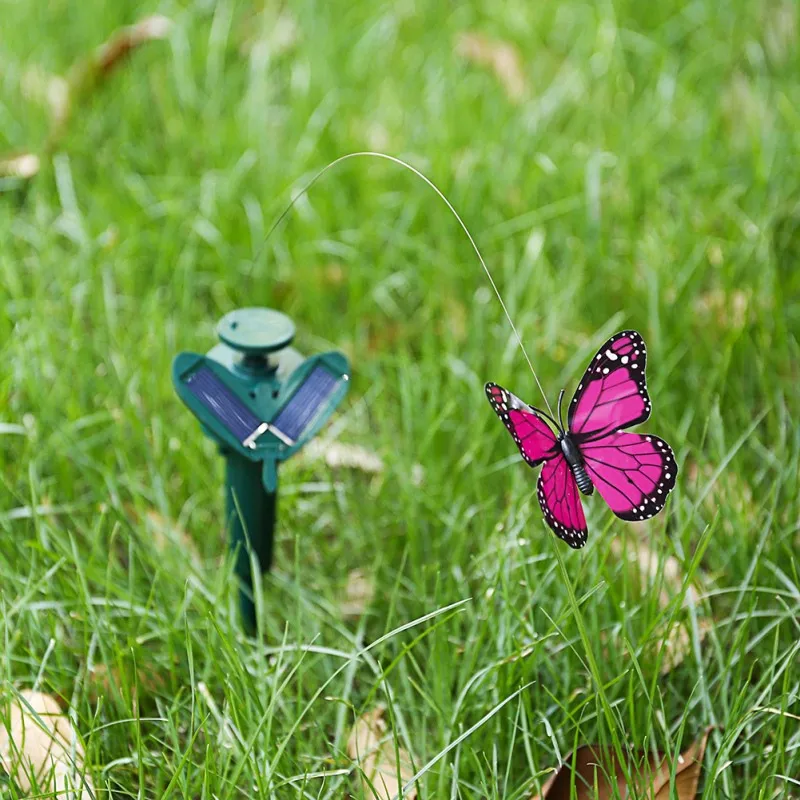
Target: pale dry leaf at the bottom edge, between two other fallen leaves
(385, 769)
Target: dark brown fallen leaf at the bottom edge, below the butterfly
(598, 772)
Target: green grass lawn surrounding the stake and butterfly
(649, 178)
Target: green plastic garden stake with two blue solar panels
(260, 401)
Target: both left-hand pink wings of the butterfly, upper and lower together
(557, 491)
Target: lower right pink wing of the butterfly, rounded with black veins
(633, 472)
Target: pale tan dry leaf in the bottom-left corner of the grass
(39, 748)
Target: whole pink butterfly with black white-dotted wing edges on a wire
(633, 472)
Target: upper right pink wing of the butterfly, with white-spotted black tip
(613, 392)
